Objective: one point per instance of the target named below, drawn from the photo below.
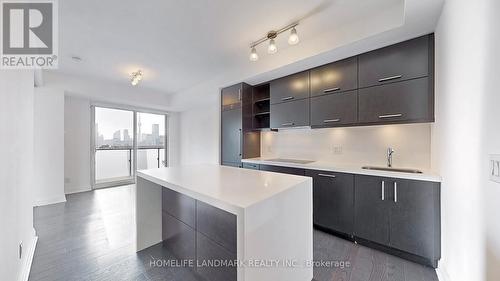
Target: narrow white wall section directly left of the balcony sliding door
(76, 144)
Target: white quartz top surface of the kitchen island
(229, 188)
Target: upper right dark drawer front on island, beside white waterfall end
(217, 224)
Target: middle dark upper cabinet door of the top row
(335, 77)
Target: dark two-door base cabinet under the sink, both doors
(403, 215)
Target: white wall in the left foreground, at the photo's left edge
(16, 172)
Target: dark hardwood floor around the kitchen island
(91, 237)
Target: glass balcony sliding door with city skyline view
(123, 141)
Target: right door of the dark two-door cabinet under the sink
(415, 218)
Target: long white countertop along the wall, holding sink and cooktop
(351, 169)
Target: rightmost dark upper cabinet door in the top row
(403, 61)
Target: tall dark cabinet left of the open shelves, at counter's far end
(238, 140)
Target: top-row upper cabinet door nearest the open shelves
(289, 88)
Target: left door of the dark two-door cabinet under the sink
(371, 213)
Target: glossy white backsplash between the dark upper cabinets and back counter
(354, 145)
